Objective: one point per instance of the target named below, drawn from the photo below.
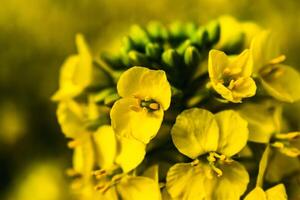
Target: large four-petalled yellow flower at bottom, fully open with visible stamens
(198, 133)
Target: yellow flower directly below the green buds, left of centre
(145, 95)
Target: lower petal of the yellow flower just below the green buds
(130, 120)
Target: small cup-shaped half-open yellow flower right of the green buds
(231, 78)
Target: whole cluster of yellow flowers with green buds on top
(185, 111)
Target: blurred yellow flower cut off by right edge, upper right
(279, 80)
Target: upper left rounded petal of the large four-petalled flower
(195, 132)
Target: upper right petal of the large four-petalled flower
(233, 132)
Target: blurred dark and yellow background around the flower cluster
(36, 36)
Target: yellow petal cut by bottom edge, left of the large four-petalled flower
(138, 188)
